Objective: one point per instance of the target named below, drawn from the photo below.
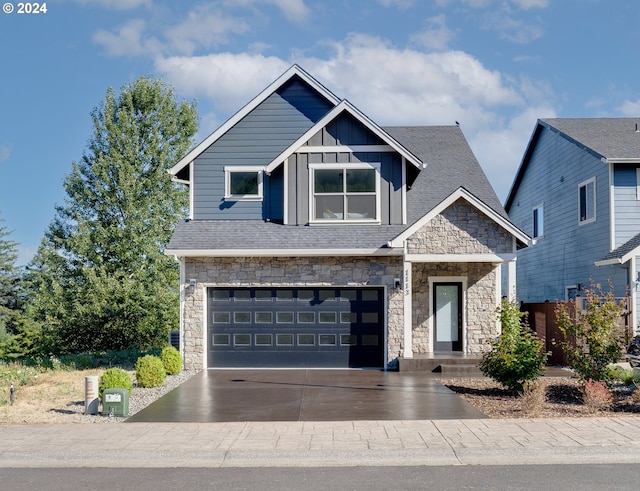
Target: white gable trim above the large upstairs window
(346, 106)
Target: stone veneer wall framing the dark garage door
(296, 271)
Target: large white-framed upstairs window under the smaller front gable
(345, 192)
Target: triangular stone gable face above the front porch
(460, 229)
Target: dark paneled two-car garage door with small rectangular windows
(296, 327)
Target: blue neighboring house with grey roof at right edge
(577, 194)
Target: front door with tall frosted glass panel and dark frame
(447, 313)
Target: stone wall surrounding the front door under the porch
(480, 307)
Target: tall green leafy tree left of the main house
(100, 279)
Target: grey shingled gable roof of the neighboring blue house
(610, 139)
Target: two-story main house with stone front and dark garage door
(317, 238)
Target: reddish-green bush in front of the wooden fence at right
(591, 342)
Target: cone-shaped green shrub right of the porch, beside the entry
(516, 356)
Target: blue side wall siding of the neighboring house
(566, 253)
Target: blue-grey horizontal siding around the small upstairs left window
(254, 141)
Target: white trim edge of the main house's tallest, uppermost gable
(294, 71)
